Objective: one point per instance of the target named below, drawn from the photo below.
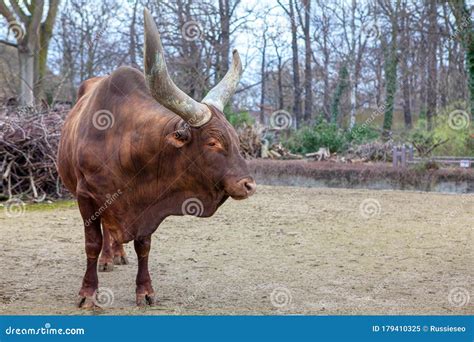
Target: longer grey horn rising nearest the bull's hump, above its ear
(160, 83)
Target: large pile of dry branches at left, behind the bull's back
(29, 141)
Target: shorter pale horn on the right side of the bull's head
(223, 91)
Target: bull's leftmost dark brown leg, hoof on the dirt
(93, 242)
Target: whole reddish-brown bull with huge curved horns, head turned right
(136, 149)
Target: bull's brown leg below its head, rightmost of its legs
(145, 293)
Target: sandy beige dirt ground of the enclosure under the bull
(284, 251)
